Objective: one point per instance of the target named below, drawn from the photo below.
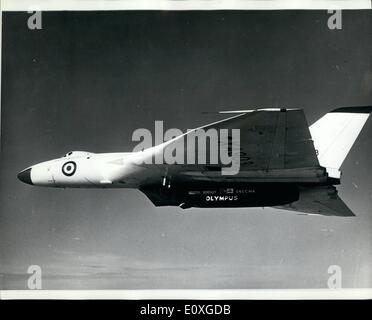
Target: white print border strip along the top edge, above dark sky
(49, 5)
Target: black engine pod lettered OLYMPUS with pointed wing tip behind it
(318, 199)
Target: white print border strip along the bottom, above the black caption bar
(234, 294)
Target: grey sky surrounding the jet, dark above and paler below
(86, 81)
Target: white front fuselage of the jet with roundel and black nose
(85, 169)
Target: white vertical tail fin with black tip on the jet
(335, 133)
